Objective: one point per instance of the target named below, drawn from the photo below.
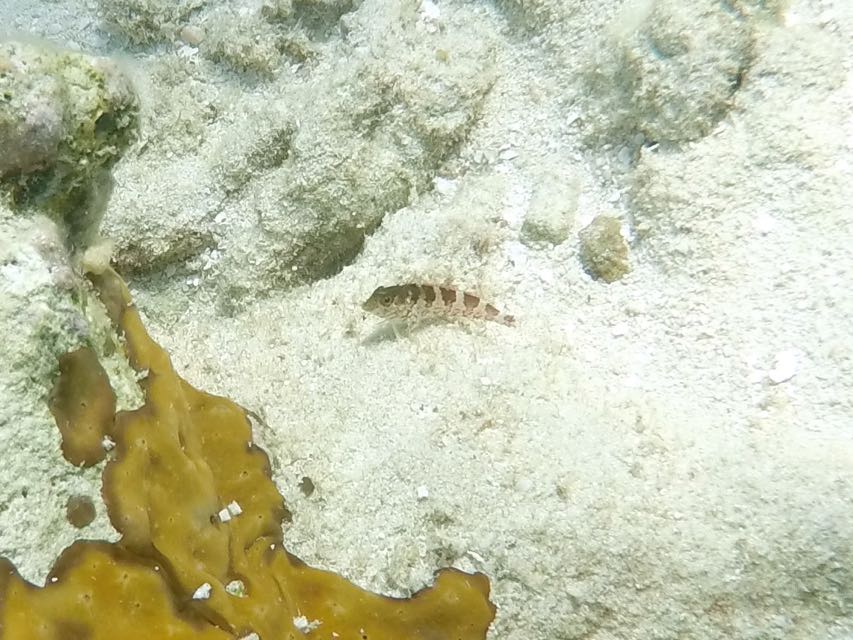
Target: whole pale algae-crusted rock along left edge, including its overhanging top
(64, 120)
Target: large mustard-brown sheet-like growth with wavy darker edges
(179, 461)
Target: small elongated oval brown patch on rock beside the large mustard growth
(83, 404)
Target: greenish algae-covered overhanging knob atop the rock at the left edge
(65, 119)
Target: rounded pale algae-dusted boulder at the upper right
(668, 70)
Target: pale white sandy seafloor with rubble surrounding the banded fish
(667, 456)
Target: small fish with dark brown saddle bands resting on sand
(428, 302)
